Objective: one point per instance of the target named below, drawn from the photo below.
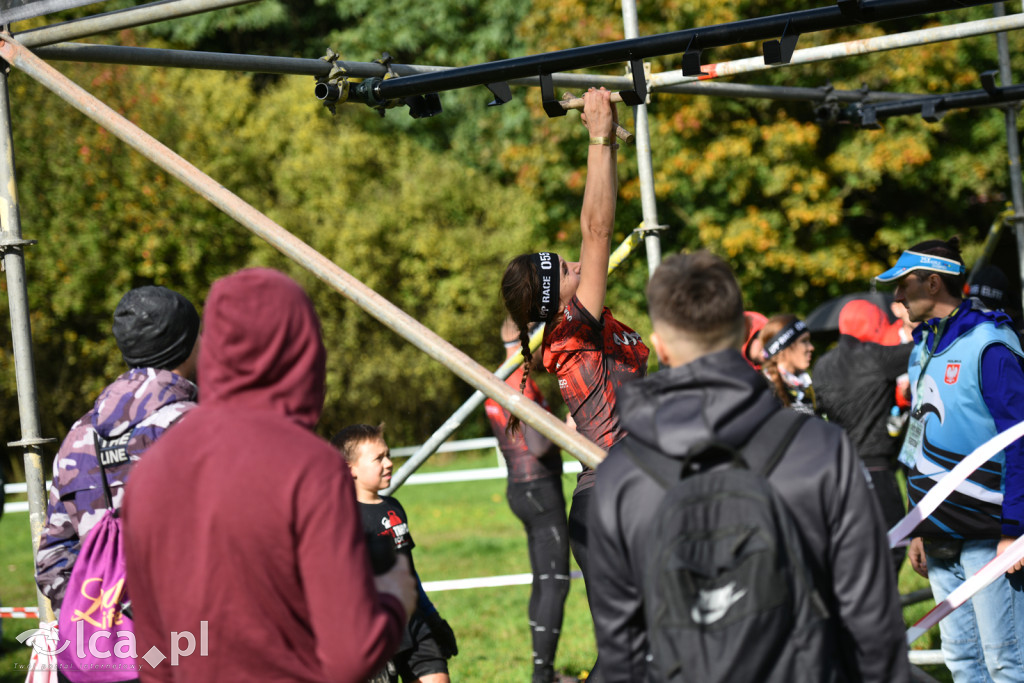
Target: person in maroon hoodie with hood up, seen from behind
(246, 558)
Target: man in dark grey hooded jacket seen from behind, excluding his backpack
(709, 391)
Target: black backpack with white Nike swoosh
(728, 596)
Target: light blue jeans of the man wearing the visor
(984, 639)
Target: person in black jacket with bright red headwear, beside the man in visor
(856, 386)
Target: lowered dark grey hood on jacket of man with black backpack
(718, 396)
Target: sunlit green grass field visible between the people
(462, 531)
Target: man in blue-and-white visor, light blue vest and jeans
(968, 386)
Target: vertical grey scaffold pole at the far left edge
(18, 296)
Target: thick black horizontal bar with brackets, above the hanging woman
(802, 22)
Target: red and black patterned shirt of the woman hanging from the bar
(592, 359)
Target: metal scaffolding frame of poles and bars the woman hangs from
(50, 42)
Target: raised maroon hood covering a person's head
(262, 348)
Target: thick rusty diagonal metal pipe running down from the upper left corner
(386, 312)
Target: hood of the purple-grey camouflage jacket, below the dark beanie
(135, 397)
